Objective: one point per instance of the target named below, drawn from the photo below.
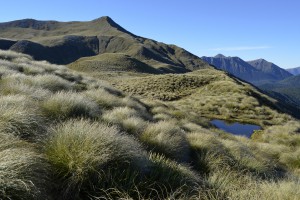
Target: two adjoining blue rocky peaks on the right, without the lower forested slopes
(257, 72)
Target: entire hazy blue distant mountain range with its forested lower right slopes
(277, 82)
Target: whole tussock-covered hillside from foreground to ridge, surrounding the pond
(66, 135)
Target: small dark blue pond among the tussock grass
(236, 128)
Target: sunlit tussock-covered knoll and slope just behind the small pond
(209, 93)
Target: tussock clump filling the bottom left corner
(22, 170)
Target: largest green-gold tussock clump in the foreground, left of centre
(88, 156)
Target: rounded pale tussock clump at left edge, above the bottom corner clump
(20, 116)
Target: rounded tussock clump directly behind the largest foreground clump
(63, 105)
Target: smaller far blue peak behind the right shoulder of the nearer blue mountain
(270, 68)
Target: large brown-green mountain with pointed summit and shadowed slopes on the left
(65, 42)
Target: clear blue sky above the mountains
(250, 29)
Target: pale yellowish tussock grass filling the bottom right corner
(237, 186)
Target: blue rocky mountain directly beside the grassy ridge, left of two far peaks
(240, 68)
